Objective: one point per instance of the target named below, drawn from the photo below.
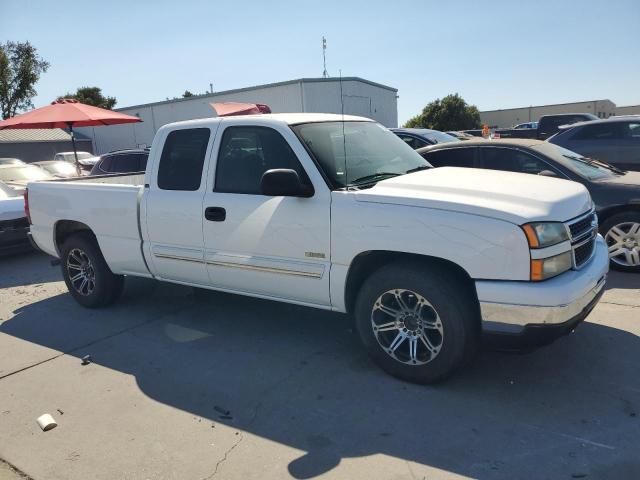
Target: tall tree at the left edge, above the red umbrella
(20, 70)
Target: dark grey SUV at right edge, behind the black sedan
(614, 140)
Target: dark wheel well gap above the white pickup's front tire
(368, 262)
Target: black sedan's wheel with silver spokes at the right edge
(622, 234)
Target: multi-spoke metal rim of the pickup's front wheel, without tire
(407, 327)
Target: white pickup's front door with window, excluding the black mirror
(273, 246)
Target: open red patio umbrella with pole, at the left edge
(67, 113)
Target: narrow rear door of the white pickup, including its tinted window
(173, 206)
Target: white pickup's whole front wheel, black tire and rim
(407, 349)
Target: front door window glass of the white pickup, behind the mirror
(246, 153)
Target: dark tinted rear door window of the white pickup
(182, 159)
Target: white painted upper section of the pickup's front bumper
(561, 290)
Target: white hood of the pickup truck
(514, 197)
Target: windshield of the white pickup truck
(373, 153)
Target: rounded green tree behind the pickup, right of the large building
(450, 113)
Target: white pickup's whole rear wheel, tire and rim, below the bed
(80, 255)
